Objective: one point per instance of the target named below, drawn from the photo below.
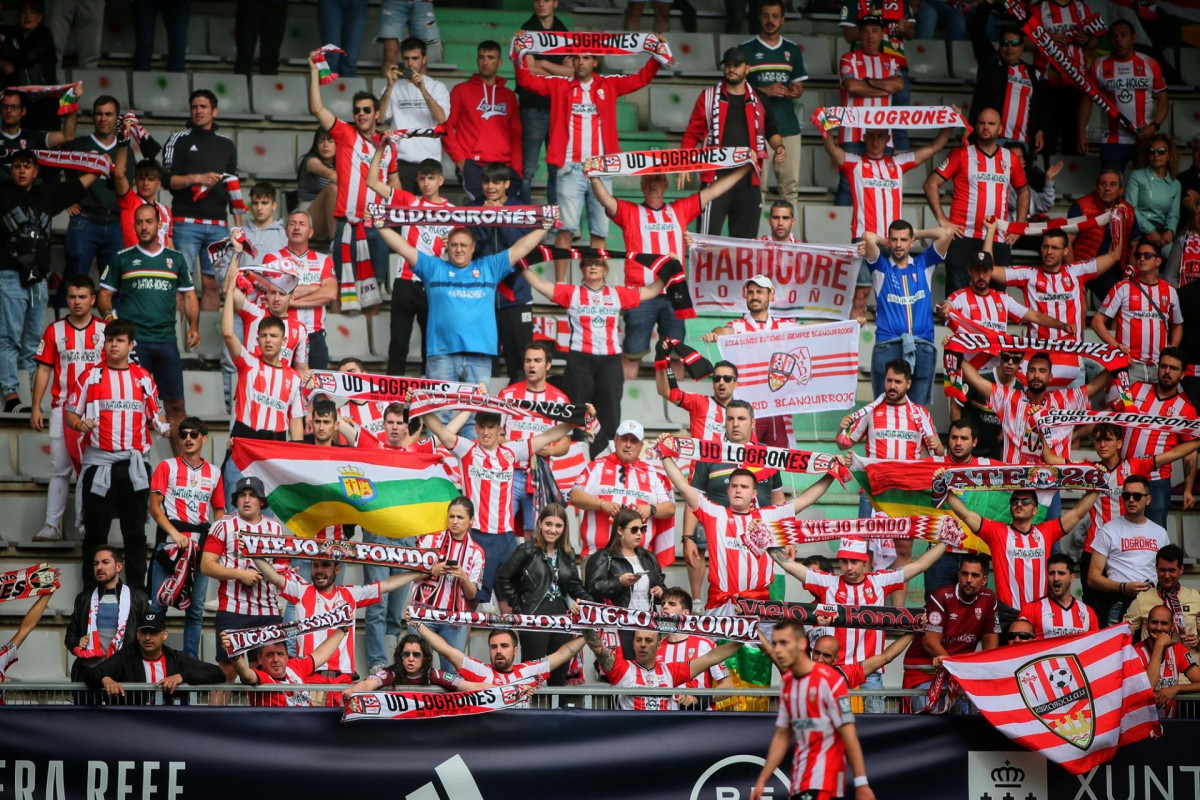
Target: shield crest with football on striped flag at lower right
(1057, 691)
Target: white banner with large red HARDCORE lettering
(815, 281)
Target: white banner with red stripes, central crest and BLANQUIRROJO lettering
(796, 370)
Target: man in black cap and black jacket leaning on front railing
(149, 663)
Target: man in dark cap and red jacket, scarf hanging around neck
(731, 115)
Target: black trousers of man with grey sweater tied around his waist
(130, 509)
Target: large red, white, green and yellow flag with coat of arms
(311, 488)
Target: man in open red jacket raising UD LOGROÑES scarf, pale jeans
(583, 125)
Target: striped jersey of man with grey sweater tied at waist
(123, 402)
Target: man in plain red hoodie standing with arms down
(484, 125)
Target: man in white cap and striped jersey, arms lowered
(623, 479)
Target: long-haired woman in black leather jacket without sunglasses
(538, 579)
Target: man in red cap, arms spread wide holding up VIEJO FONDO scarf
(857, 586)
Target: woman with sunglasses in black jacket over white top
(626, 574)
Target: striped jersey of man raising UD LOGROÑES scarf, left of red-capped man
(734, 572)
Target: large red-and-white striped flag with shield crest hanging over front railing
(1075, 699)
